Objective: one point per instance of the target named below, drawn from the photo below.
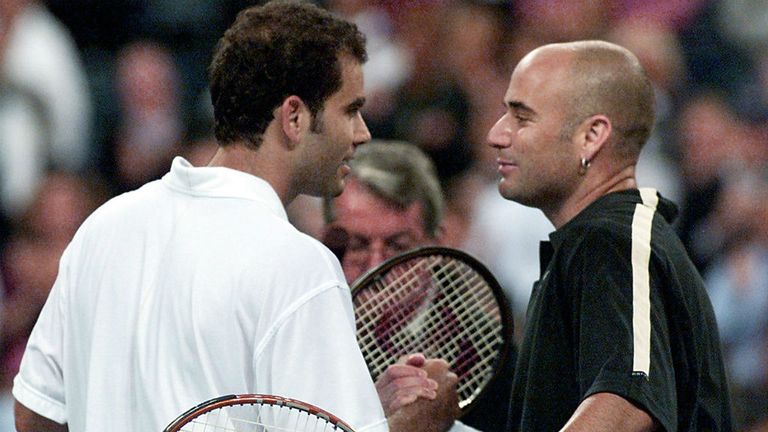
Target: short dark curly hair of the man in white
(273, 51)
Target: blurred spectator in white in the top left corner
(38, 55)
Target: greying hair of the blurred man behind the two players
(401, 174)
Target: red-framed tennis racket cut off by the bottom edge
(256, 413)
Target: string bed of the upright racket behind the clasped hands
(457, 303)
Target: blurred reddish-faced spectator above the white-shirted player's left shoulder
(150, 124)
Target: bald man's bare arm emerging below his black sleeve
(609, 413)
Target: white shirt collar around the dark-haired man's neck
(221, 182)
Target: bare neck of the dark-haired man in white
(259, 163)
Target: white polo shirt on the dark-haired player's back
(192, 287)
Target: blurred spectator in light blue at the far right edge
(738, 286)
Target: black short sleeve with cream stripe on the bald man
(622, 340)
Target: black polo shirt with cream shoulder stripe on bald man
(620, 308)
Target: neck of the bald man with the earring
(590, 190)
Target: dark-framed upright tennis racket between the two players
(438, 301)
